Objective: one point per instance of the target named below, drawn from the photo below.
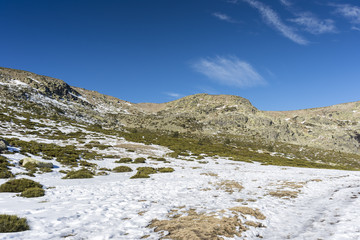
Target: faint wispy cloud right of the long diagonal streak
(314, 25)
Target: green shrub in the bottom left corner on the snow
(12, 223)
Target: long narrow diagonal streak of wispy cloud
(272, 19)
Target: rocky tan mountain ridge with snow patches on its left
(332, 128)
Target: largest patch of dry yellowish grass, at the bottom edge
(196, 226)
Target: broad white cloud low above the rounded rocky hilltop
(229, 71)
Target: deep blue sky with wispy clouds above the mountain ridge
(280, 54)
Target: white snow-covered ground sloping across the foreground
(316, 203)
